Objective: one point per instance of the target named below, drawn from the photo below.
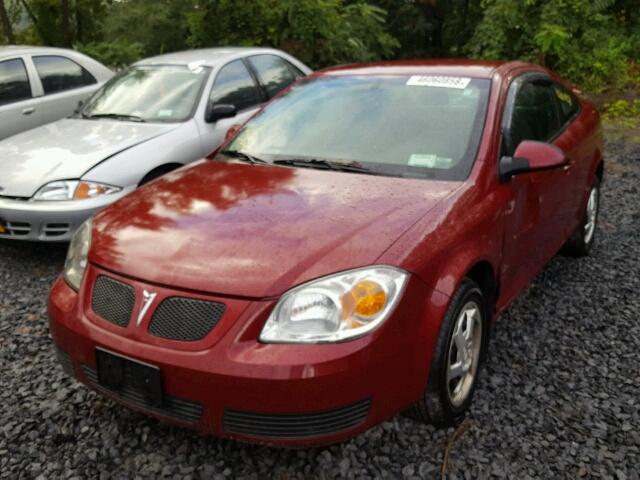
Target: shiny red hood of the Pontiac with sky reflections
(255, 231)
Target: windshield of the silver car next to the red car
(166, 93)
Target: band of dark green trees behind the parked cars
(596, 43)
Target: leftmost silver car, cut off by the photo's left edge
(39, 85)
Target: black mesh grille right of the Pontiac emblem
(185, 319)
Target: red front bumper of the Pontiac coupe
(230, 385)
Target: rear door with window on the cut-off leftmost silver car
(64, 84)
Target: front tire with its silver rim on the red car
(440, 405)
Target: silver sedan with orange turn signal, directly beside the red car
(157, 115)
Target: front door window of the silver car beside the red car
(235, 85)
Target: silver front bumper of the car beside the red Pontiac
(49, 221)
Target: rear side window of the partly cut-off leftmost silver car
(59, 74)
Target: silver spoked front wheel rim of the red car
(464, 353)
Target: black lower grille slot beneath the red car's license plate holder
(178, 408)
